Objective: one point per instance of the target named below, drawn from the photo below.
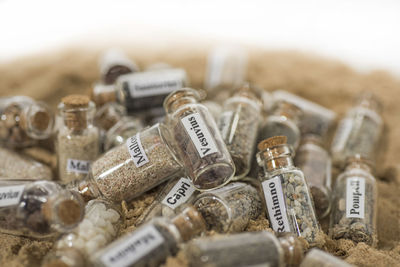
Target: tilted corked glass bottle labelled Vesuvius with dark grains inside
(198, 141)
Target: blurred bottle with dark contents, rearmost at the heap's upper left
(115, 63)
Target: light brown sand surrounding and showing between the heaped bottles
(75, 71)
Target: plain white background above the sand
(364, 34)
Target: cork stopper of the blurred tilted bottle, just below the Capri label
(189, 223)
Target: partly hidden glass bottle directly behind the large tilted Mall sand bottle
(121, 131)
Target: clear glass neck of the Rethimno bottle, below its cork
(277, 157)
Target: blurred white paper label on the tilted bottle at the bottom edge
(133, 248)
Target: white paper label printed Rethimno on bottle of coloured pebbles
(276, 204)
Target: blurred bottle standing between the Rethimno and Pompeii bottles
(315, 162)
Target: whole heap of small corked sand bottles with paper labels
(224, 160)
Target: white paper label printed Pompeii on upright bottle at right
(355, 197)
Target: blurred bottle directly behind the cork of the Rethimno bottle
(284, 120)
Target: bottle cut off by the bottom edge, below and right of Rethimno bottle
(318, 258)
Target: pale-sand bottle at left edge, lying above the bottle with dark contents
(14, 165)
